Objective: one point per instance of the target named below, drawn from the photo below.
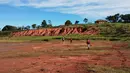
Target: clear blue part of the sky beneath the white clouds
(20, 16)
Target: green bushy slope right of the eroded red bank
(115, 29)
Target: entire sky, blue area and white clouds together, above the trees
(27, 12)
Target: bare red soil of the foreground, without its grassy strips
(61, 64)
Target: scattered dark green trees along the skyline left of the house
(35, 26)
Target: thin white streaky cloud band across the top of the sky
(84, 8)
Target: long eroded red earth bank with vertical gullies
(57, 31)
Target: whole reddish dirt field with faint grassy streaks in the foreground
(62, 57)
